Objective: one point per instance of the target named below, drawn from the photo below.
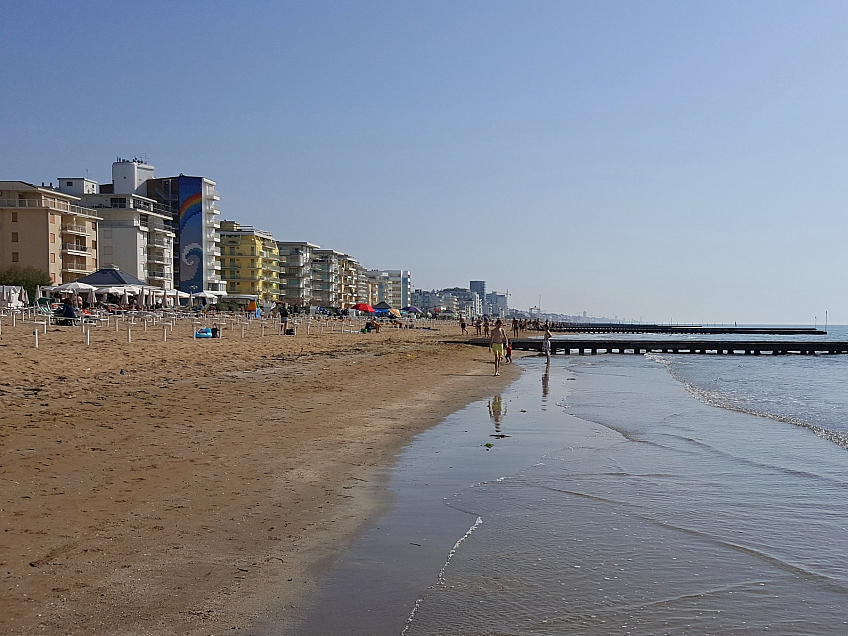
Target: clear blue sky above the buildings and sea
(682, 161)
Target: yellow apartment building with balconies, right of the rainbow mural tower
(249, 263)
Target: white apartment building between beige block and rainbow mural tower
(135, 234)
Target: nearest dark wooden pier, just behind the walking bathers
(581, 347)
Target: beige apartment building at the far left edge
(46, 229)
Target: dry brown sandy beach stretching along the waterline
(197, 491)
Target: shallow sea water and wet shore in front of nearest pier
(621, 494)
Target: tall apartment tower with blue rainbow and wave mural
(192, 203)
